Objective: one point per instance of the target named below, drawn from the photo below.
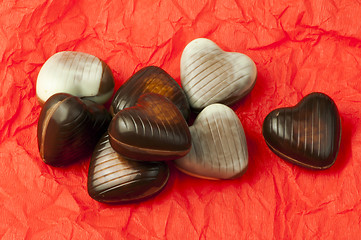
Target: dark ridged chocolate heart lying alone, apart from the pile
(307, 134)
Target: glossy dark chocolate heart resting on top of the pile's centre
(153, 130)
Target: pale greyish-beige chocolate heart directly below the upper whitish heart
(219, 146)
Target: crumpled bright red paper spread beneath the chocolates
(299, 47)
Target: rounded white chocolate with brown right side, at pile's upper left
(76, 73)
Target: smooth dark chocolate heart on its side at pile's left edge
(69, 128)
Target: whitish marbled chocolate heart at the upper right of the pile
(210, 75)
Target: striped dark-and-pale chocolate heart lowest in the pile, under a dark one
(114, 179)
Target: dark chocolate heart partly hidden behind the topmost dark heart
(149, 80)
